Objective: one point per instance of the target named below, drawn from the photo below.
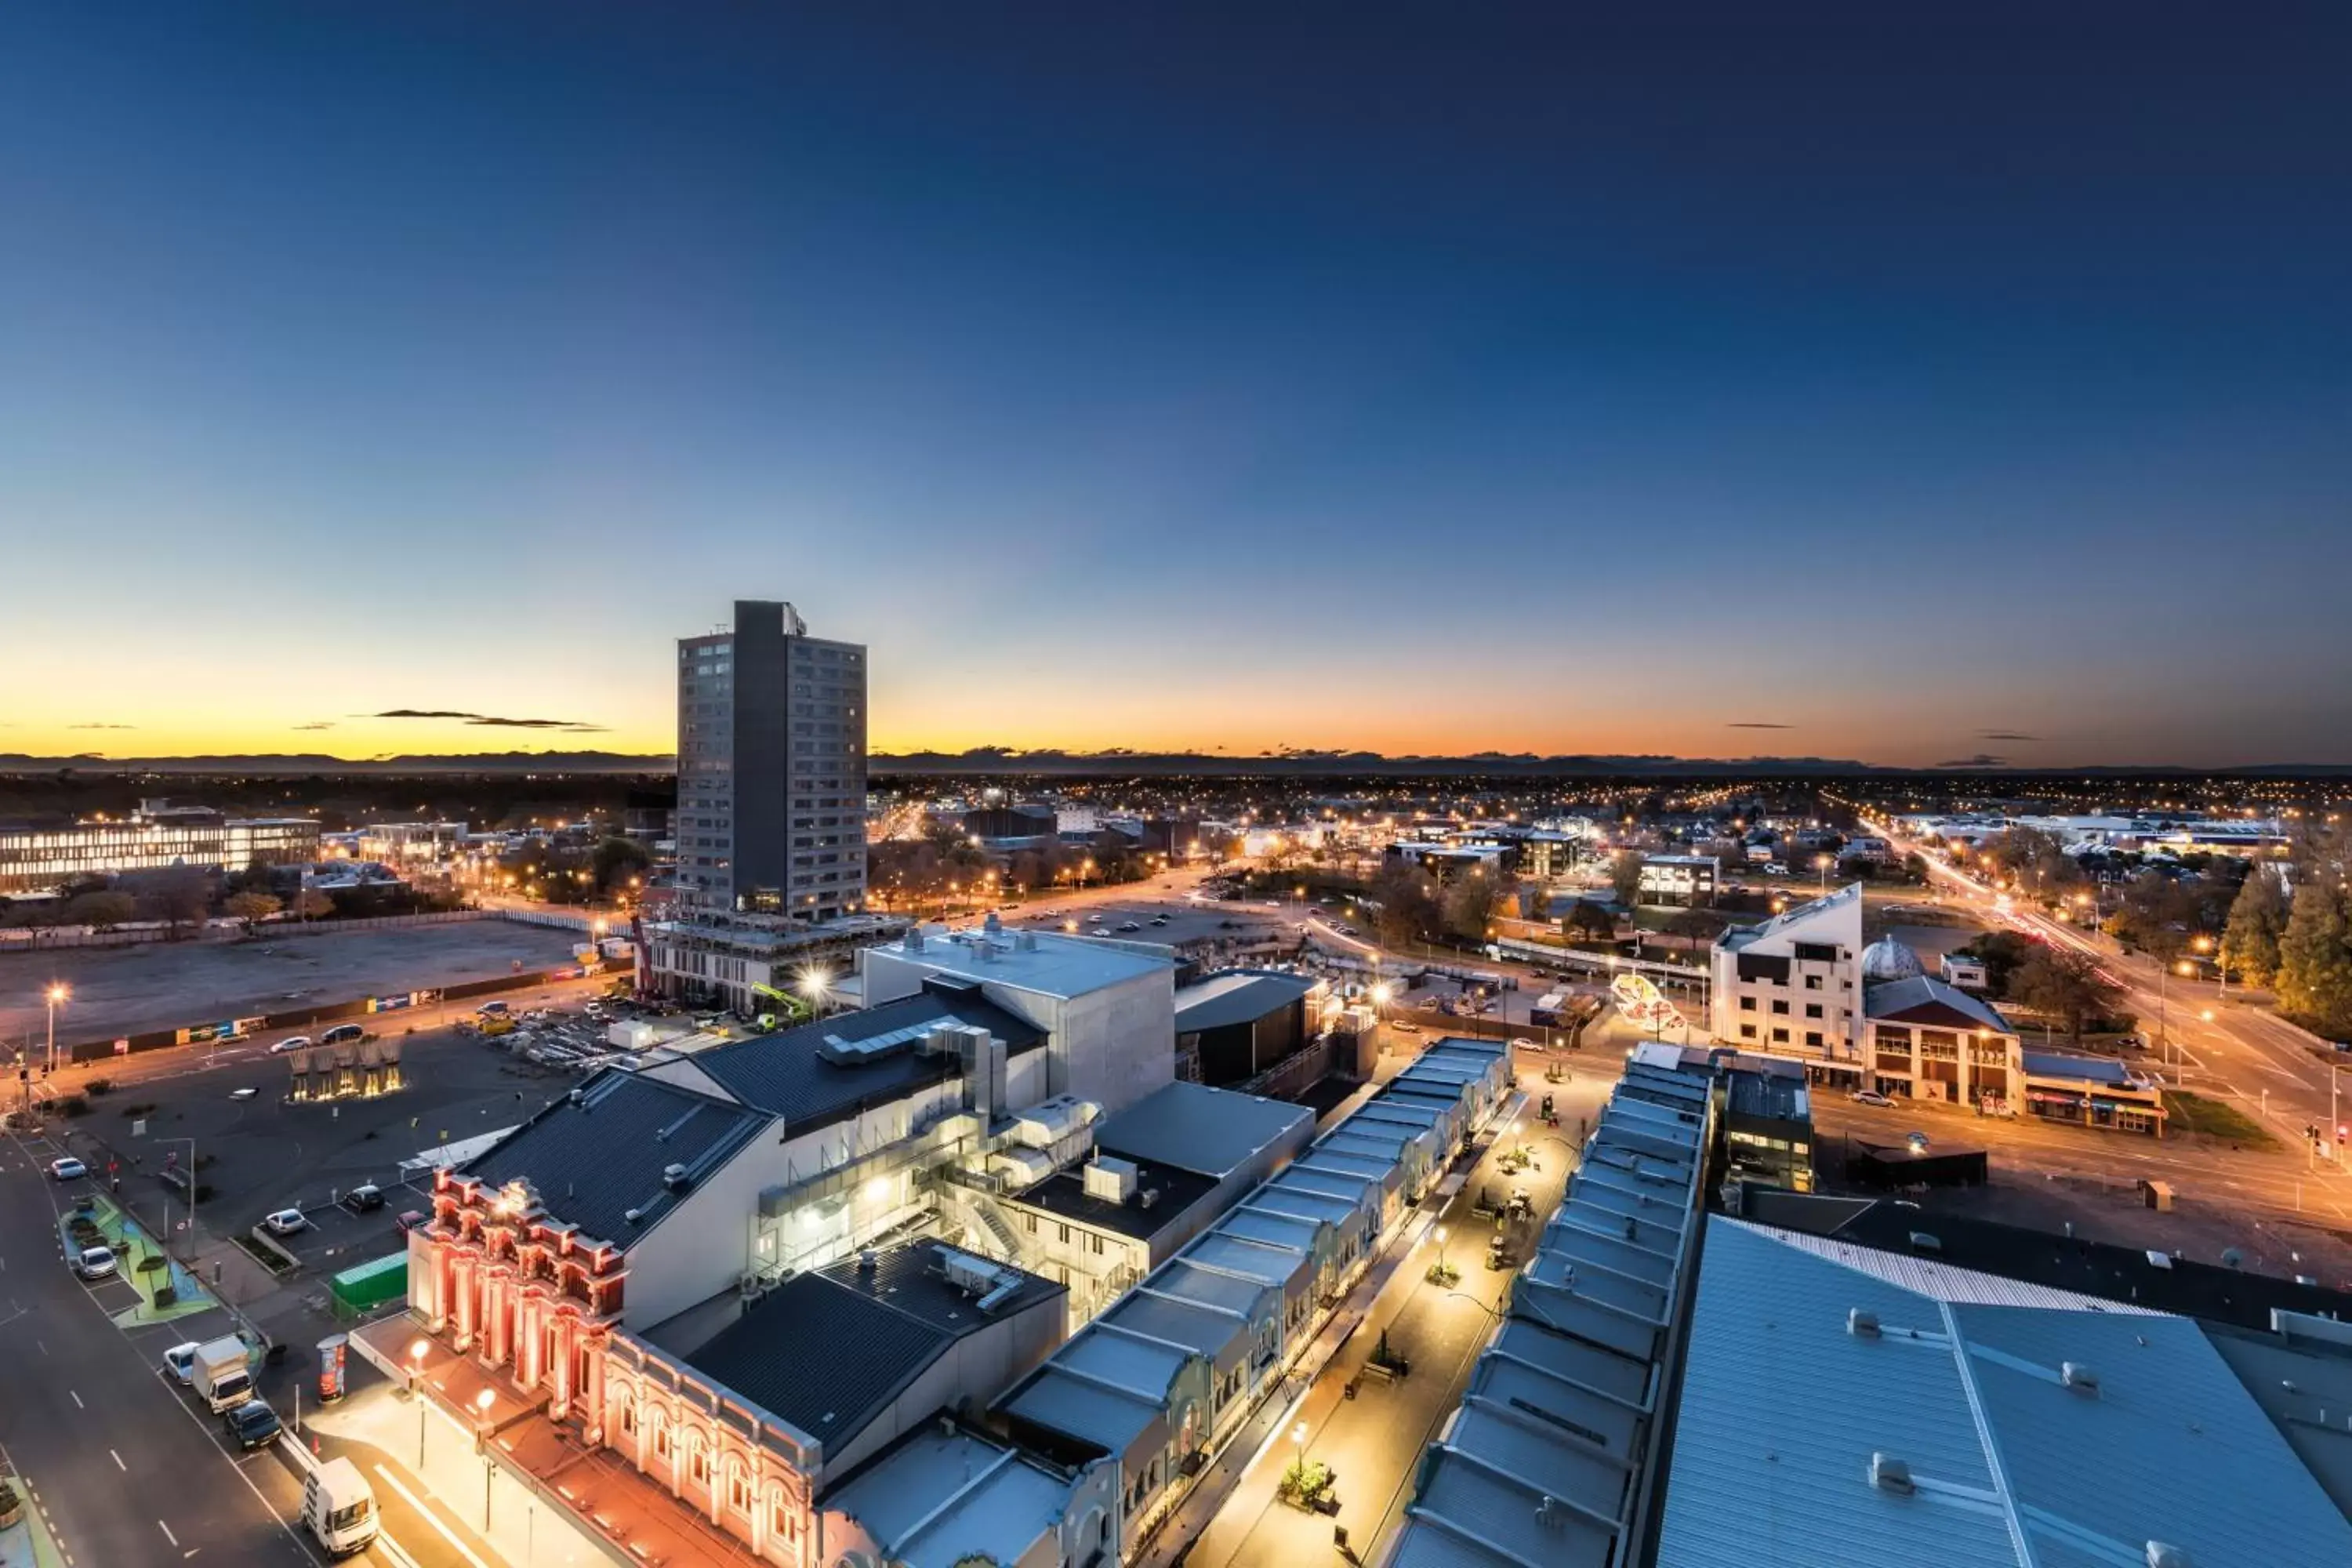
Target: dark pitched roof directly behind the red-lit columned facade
(601, 1155)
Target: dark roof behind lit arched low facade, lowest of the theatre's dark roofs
(834, 1348)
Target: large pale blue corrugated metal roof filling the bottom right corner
(2010, 1463)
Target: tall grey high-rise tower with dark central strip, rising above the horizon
(773, 768)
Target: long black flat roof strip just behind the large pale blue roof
(2090, 1268)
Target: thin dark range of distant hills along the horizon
(1123, 763)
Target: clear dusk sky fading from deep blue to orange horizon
(1909, 384)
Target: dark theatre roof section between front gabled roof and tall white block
(789, 1076)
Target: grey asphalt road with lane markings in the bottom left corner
(126, 1470)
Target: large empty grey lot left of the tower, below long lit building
(123, 991)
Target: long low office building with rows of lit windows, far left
(159, 836)
